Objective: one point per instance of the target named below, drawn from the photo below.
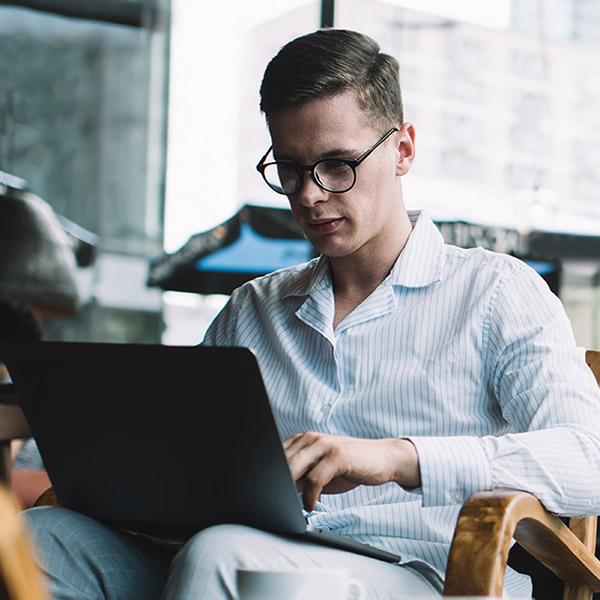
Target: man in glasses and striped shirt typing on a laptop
(404, 374)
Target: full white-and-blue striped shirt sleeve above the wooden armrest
(548, 395)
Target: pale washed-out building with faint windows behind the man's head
(501, 121)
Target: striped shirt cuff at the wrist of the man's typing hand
(452, 468)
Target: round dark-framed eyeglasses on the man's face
(336, 175)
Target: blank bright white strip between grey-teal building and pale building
(201, 188)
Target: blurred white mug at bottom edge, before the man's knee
(322, 584)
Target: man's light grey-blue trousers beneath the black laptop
(86, 560)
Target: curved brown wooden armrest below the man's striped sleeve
(486, 525)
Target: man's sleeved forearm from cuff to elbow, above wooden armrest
(560, 466)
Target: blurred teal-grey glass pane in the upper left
(76, 105)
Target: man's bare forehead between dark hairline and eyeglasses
(319, 126)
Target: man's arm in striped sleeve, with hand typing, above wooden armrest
(545, 391)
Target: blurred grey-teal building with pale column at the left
(82, 121)
